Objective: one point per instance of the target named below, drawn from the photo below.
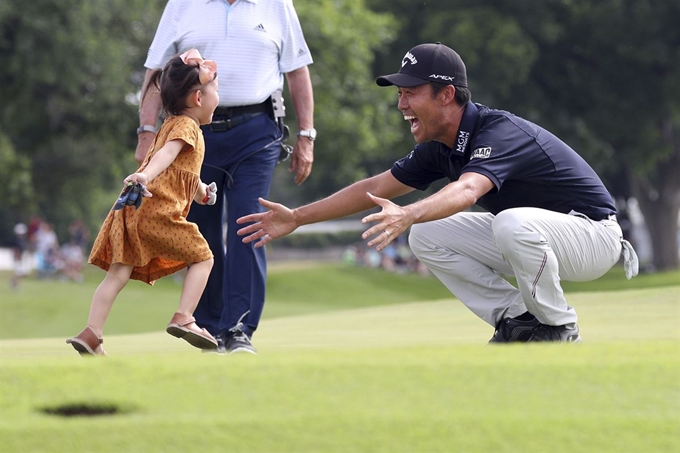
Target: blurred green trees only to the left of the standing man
(68, 78)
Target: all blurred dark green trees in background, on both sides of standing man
(602, 74)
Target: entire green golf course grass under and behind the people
(350, 360)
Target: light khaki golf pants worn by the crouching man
(470, 252)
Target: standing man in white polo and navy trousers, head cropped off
(255, 44)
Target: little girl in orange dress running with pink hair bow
(156, 240)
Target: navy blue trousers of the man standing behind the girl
(245, 167)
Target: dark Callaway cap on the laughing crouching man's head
(428, 63)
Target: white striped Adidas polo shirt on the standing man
(254, 43)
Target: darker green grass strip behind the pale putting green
(48, 308)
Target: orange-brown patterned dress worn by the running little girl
(157, 239)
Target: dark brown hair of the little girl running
(174, 82)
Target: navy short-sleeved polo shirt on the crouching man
(529, 166)
